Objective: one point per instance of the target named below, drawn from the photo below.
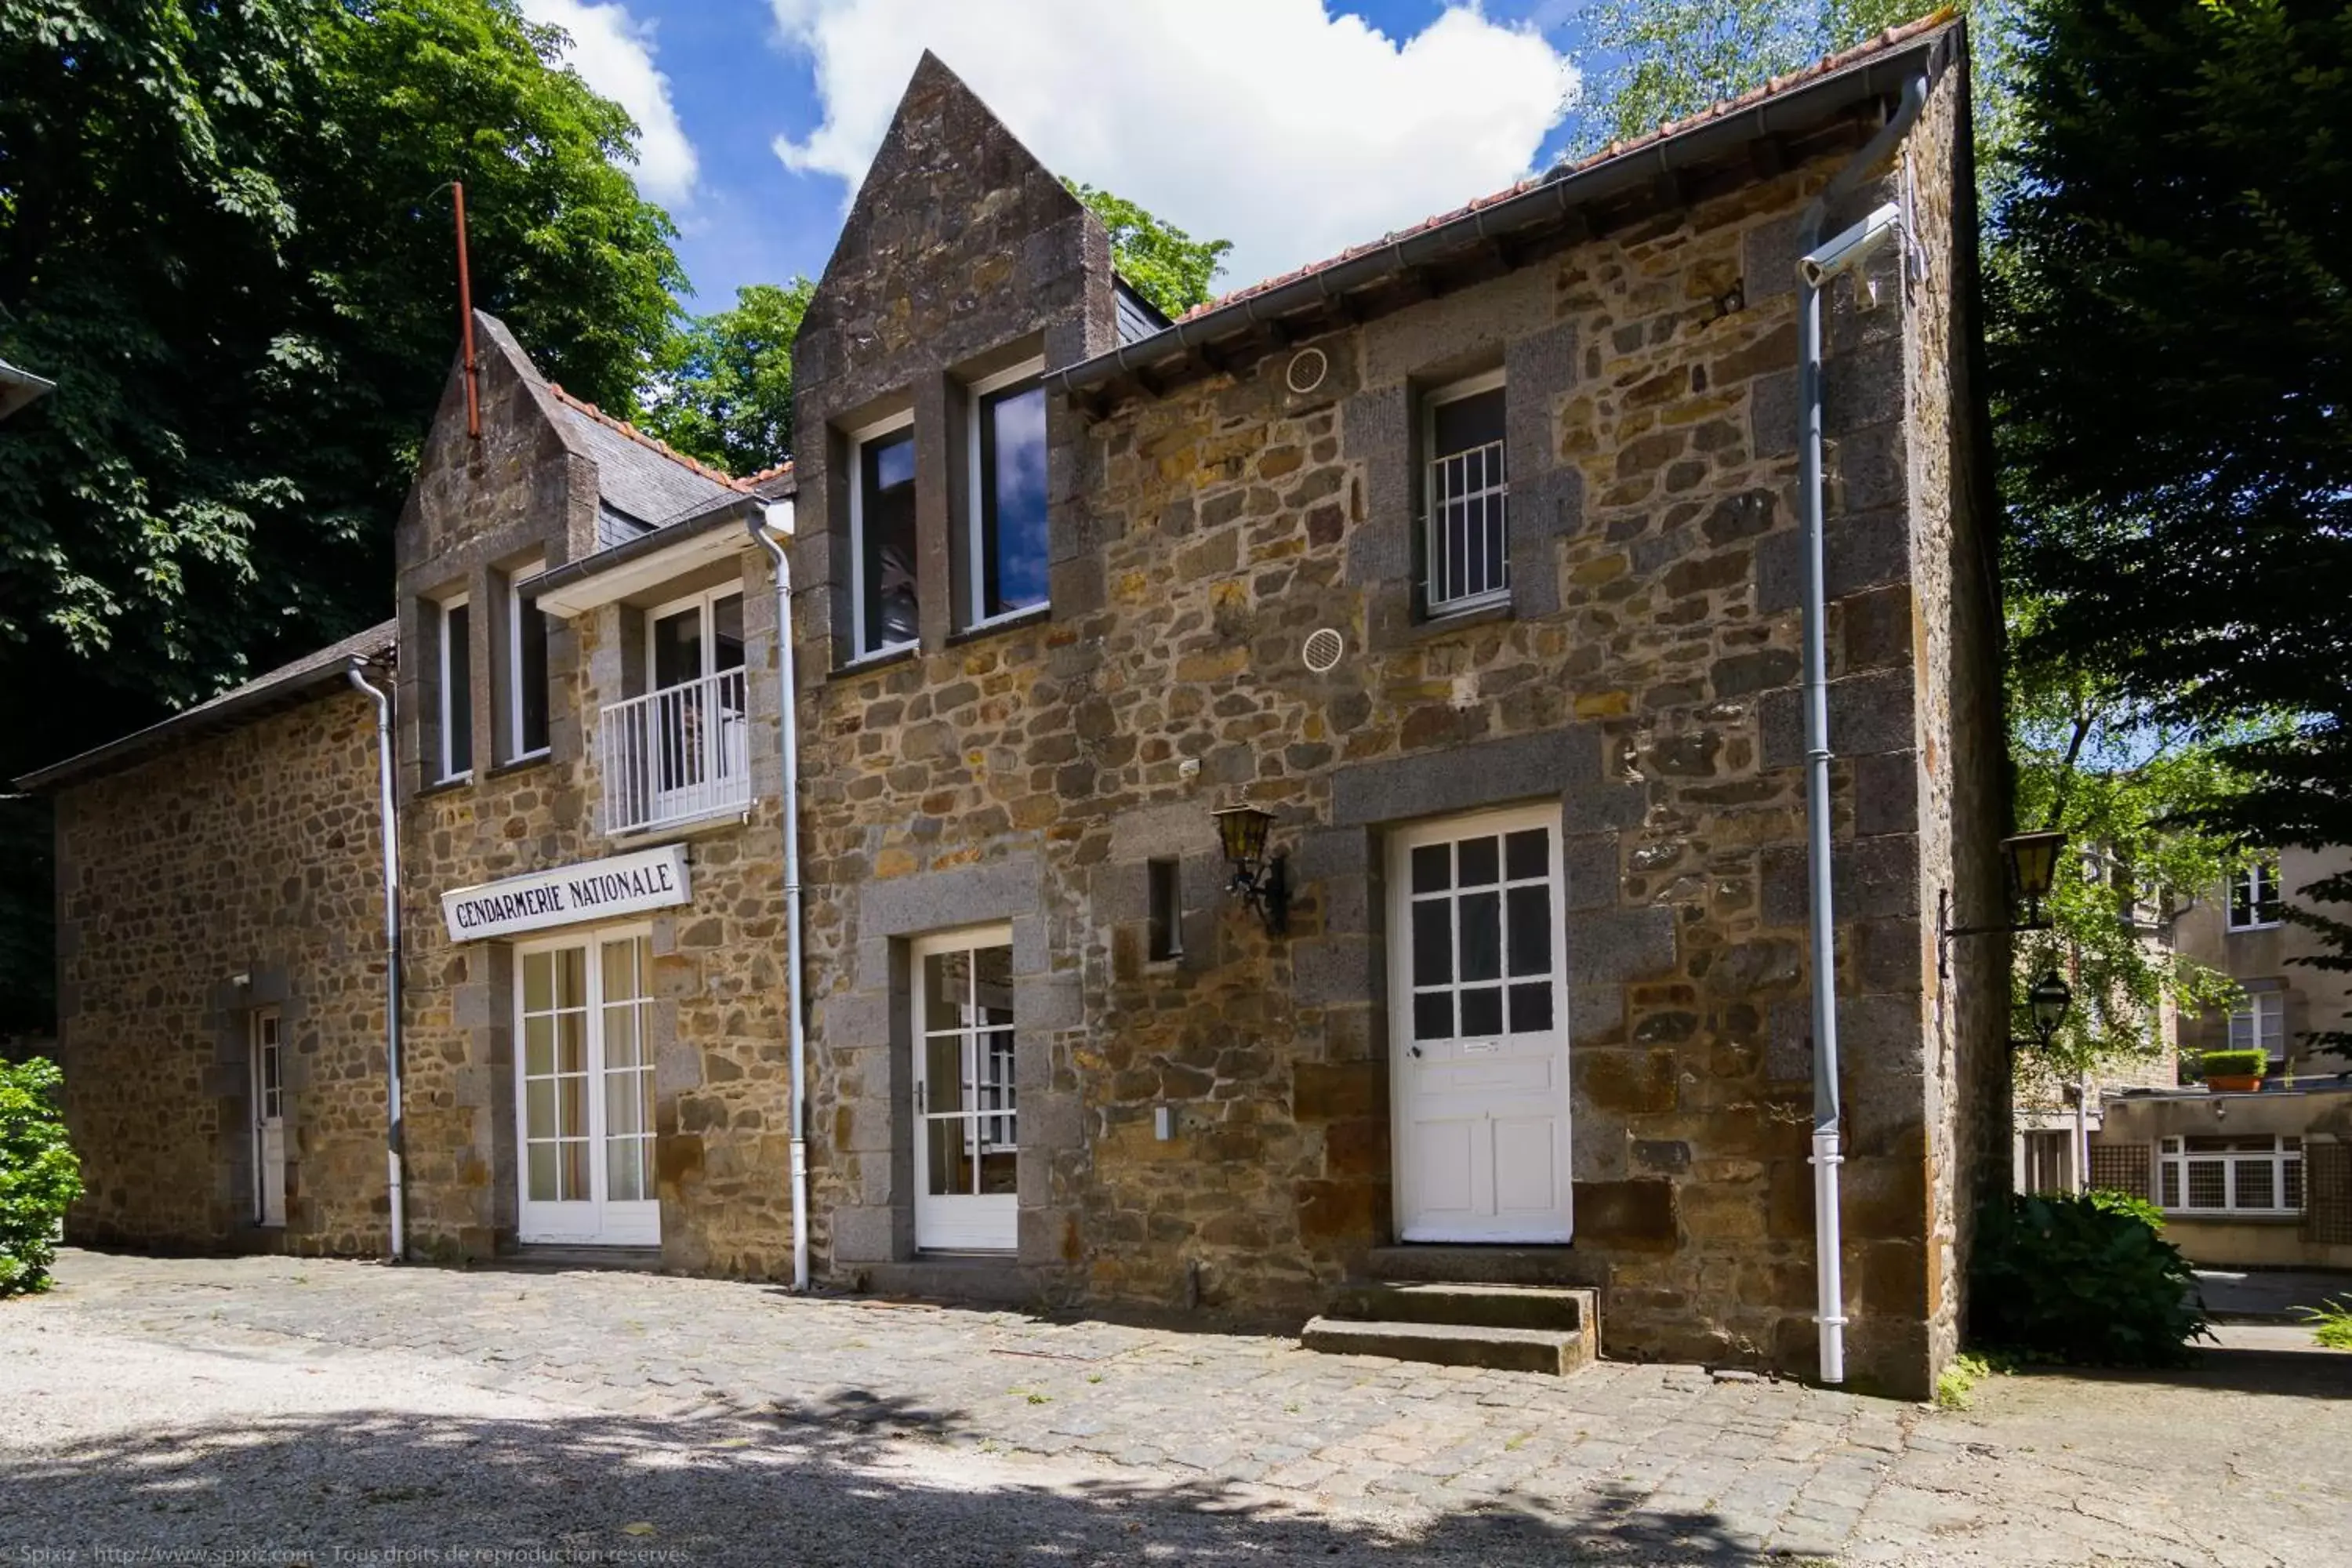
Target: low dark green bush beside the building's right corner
(2085, 1278)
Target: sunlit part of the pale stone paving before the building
(2247, 1461)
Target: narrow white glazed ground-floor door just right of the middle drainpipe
(965, 1115)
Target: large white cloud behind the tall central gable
(1269, 123)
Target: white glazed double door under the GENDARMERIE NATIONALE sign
(584, 1092)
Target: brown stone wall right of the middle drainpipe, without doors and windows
(1645, 678)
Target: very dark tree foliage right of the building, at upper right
(2172, 359)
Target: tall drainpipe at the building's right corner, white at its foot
(1817, 267)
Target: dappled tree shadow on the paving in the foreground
(855, 1480)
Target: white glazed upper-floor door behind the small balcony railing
(700, 723)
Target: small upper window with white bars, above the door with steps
(1464, 549)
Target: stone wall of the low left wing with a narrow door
(241, 855)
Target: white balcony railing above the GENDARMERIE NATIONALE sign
(679, 753)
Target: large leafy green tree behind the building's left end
(225, 236)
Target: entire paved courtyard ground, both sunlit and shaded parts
(342, 1409)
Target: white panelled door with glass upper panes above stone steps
(1481, 1028)
